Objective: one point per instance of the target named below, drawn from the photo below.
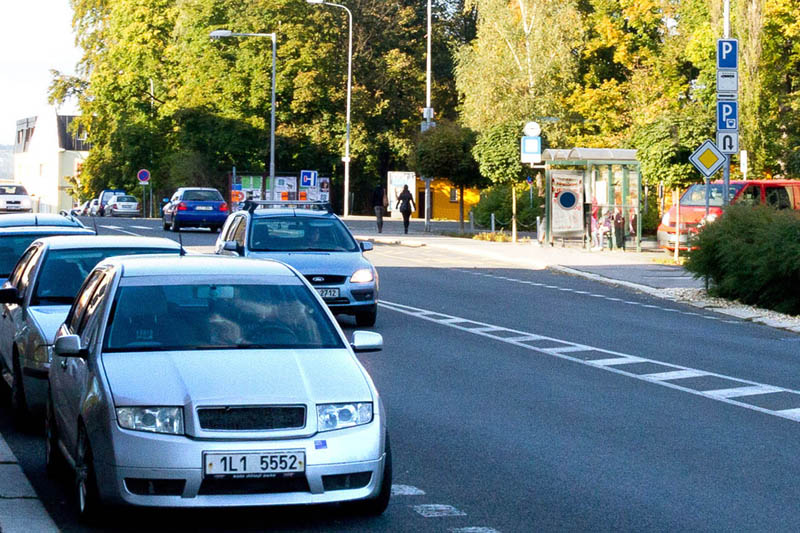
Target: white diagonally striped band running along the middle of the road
(619, 363)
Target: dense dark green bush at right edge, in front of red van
(752, 255)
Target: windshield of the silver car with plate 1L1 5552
(216, 317)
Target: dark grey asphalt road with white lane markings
(524, 400)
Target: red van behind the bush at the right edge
(780, 194)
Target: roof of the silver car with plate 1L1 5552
(198, 265)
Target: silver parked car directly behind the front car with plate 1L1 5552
(37, 296)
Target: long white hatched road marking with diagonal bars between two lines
(616, 363)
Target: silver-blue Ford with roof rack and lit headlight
(311, 238)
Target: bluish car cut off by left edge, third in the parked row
(18, 231)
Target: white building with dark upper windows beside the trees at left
(46, 152)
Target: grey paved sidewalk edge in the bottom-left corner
(21, 511)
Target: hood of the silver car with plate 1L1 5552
(235, 377)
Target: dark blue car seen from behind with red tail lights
(195, 207)
